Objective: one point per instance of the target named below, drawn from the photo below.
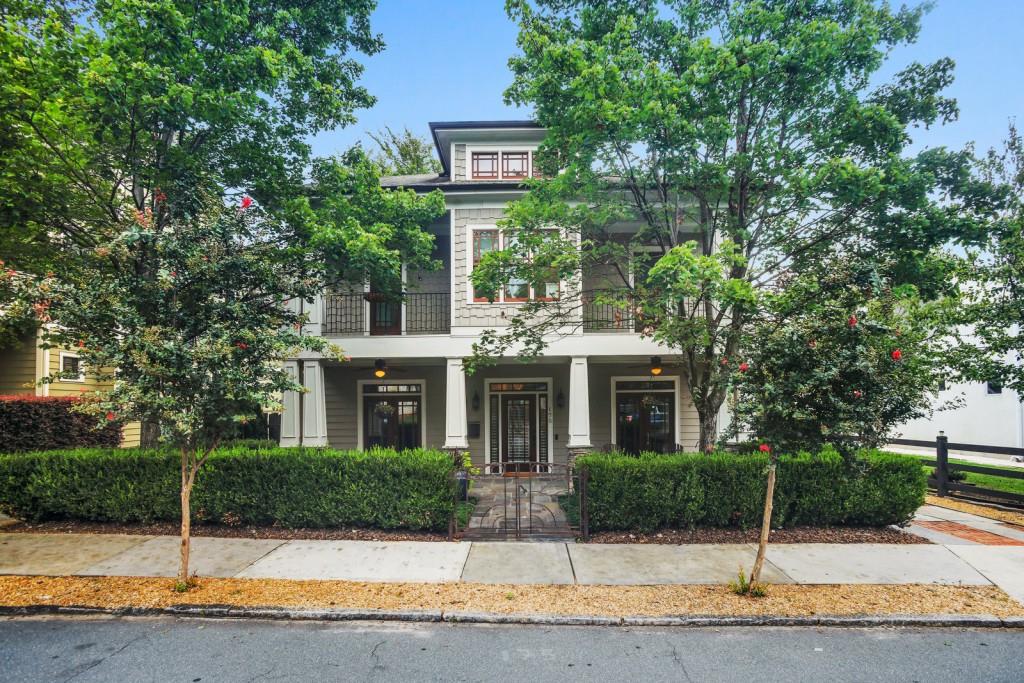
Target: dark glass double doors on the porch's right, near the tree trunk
(645, 421)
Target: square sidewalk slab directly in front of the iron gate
(519, 564)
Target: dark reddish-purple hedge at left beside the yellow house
(44, 423)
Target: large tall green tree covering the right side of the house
(700, 151)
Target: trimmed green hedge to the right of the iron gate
(684, 491)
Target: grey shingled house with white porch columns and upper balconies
(406, 386)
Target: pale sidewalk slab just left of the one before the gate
(362, 561)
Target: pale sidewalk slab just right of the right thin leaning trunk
(873, 564)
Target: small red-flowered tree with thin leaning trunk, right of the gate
(838, 358)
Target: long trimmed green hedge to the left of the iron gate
(292, 488)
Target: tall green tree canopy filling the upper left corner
(120, 108)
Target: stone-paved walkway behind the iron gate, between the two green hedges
(529, 505)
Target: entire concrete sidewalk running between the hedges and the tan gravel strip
(955, 560)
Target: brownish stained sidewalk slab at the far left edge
(55, 556)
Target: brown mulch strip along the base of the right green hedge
(801, 535)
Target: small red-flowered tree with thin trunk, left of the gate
(198, 347)
